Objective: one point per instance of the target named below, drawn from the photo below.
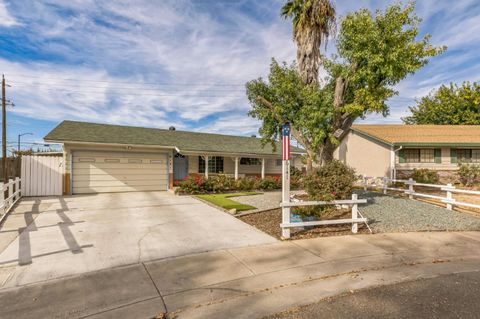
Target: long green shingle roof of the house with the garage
(72, 131)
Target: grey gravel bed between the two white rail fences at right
(388, 213)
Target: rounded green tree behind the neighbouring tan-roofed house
(449, 105)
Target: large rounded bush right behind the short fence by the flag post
(334, 180)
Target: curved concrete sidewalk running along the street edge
(247, 282)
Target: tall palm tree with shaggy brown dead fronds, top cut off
(313, 22)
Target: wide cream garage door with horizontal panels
(106, 172)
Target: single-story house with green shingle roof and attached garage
(112, 158)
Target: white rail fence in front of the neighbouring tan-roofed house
(449, 190)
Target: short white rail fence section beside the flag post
(286, 224)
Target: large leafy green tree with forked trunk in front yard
(375, 52)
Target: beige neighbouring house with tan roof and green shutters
(396, 150)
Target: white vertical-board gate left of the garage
(42, 175)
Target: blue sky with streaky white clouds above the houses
(182, 62)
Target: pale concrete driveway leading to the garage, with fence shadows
(48, 238)
